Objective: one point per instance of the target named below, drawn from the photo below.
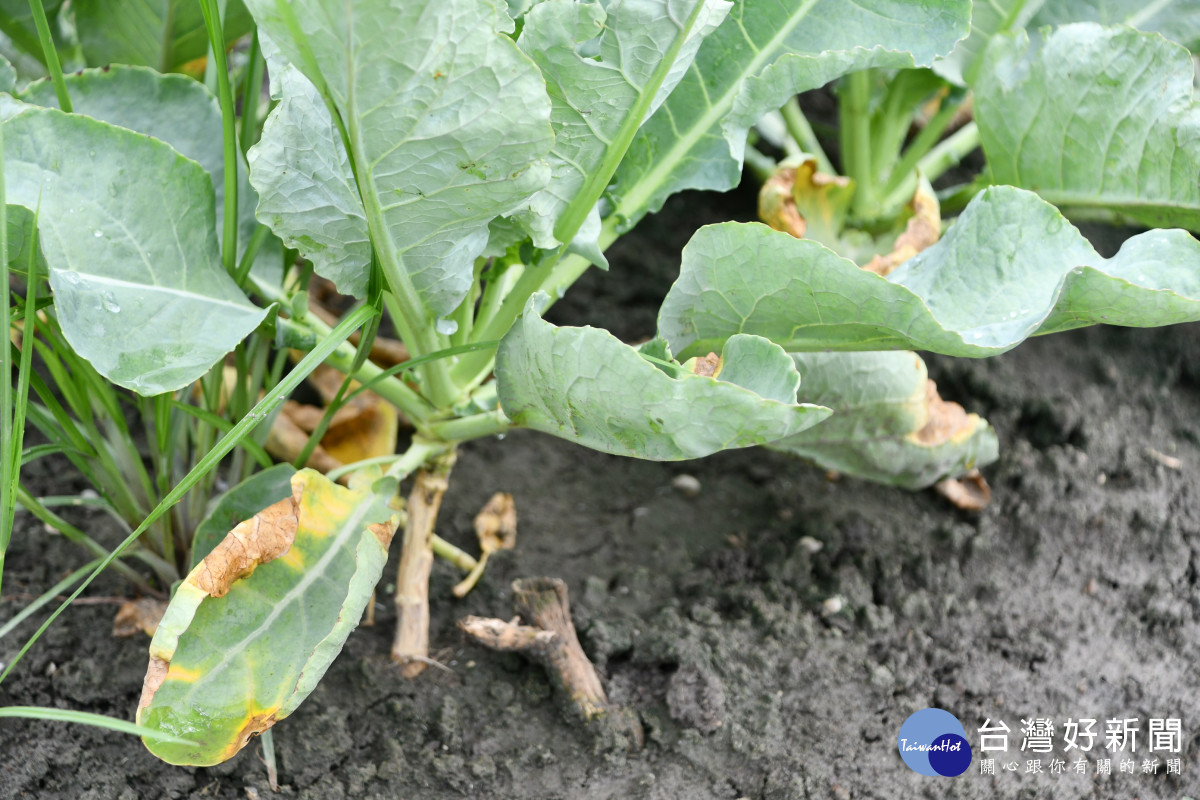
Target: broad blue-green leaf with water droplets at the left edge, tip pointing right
(129, 233)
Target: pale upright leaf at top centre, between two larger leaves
(607, 71)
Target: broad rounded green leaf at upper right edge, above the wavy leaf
(1095, 118)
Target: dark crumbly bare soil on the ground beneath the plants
(772, 634)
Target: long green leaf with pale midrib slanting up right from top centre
(761, 56)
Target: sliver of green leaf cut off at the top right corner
(1177, 20)
